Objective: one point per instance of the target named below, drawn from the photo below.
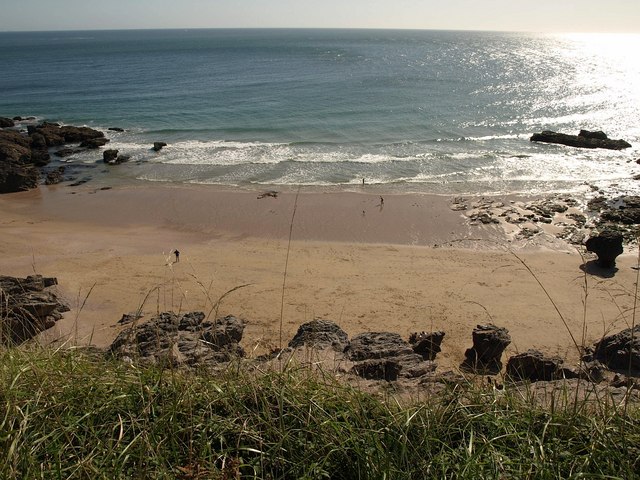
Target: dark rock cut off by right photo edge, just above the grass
(621, 351)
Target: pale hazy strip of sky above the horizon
(615, 16)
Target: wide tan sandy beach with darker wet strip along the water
(407, 264)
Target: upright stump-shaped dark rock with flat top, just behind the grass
(489, 342)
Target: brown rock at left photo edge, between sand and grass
(27, 307)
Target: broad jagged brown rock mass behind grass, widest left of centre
(181, 339)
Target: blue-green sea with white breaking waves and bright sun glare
(422, 111)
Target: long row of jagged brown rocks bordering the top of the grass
(190, 340)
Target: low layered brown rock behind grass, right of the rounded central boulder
(385, 356)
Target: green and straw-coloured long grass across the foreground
(68, 415)
